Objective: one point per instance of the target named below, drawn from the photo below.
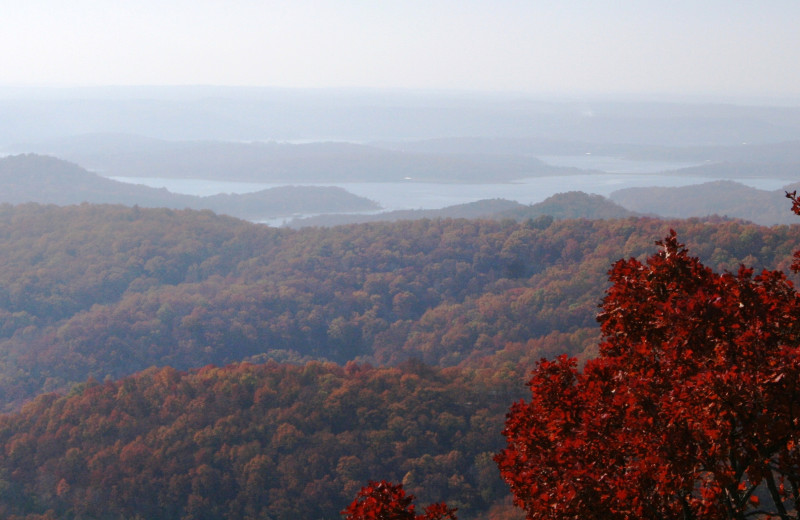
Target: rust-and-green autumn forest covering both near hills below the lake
(158, 363)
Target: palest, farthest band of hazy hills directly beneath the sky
(360, 115)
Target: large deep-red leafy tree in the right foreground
(691, 410)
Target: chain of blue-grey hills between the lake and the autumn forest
(47, 180)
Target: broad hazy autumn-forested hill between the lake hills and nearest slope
(105, 291)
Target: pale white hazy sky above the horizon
(726, 48)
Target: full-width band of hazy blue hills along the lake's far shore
(472, 160)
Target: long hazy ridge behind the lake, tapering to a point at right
(273, 162)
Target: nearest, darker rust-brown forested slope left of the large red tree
(247, 441)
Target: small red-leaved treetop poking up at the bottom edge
(386, 501)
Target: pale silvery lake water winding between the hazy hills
(418, 195)
